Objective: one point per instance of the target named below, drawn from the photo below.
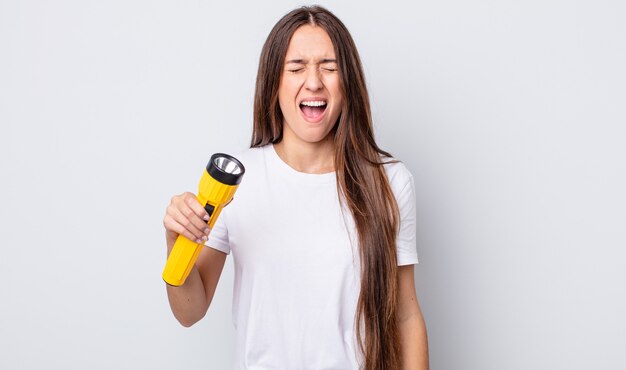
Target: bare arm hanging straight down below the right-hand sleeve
(411, 324)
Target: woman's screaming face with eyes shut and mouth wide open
(310, 94)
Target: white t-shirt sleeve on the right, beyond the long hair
(406, 241)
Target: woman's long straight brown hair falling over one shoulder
(362, 183)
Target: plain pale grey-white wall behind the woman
(510, 114)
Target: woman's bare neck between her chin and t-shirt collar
(315, 158)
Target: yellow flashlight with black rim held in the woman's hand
(217, 186)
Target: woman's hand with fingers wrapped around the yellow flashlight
(185, 216)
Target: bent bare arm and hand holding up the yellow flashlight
(190, 301)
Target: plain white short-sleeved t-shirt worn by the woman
(297, 266)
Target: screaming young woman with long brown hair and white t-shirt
(322, 231)
